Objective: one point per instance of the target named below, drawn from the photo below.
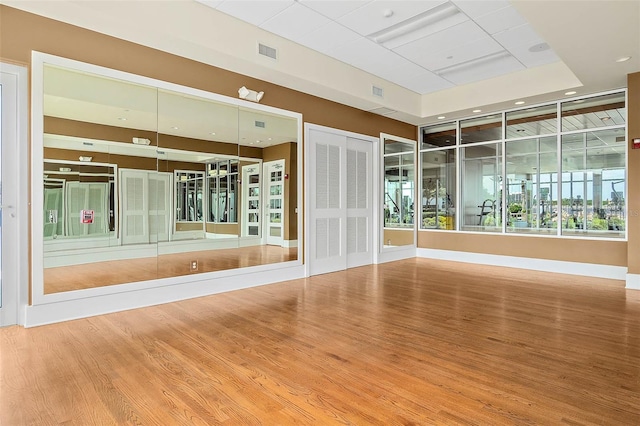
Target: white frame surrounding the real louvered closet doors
(309, 192)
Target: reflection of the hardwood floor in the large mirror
(100, 274)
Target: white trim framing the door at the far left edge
(18, 295)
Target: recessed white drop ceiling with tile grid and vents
(344, 30)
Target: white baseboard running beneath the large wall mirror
(65, 310)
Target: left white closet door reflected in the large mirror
(135, 206)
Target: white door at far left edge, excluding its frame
(9, 182)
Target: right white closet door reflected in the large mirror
(159, 206)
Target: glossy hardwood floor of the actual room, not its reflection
(410, 342)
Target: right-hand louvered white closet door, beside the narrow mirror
(359, 203)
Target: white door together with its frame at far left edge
(15, 265)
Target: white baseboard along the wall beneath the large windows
(544, 265)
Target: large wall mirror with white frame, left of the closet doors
(144, 180)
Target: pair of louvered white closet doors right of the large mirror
(340, 201)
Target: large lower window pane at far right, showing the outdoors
(593, 183)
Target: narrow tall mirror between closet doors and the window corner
(399, 188)
